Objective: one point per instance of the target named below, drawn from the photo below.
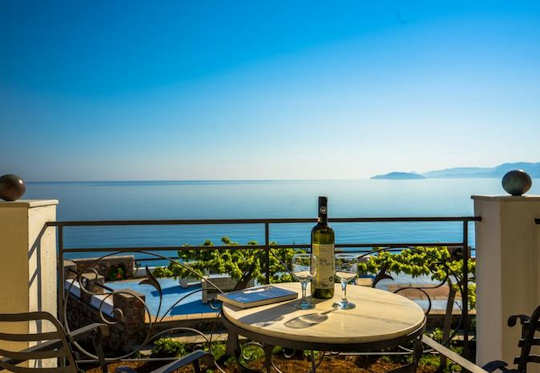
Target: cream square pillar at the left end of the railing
(27, 261)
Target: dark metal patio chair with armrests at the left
(57, 345)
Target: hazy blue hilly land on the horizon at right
(533, 169)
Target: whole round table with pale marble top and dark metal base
(380, 320)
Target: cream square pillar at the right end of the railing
(507, 271)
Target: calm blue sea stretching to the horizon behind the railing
(262, 199)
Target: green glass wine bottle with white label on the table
(322, 247)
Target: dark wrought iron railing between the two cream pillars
(363, 248)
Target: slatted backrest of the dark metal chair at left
(50, 345)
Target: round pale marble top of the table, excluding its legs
(379, 315)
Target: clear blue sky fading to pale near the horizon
(115, 90)
